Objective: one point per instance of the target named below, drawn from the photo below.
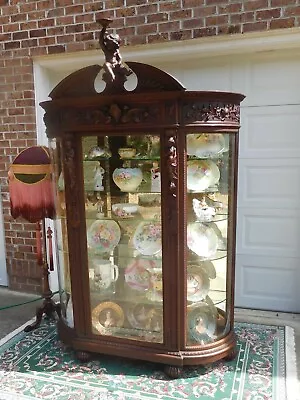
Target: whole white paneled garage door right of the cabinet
(268, 234)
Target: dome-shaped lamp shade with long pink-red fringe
(30, 185)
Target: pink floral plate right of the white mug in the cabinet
(137, 275)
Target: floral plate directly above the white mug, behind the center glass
(103, 236)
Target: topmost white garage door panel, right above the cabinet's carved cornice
(269, 79)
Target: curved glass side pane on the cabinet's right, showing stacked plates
(209, 192)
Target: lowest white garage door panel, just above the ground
(267, 283)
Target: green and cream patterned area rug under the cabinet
(37, 365)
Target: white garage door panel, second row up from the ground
(270, 232)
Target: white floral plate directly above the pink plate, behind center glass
(147, 238)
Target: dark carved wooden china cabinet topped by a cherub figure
(146, 180)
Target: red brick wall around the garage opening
(31, 28)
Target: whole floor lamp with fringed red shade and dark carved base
(32, 198)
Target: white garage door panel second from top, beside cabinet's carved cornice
(270, 132)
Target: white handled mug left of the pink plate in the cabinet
(105, 273)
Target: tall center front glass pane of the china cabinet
(124, 239)
